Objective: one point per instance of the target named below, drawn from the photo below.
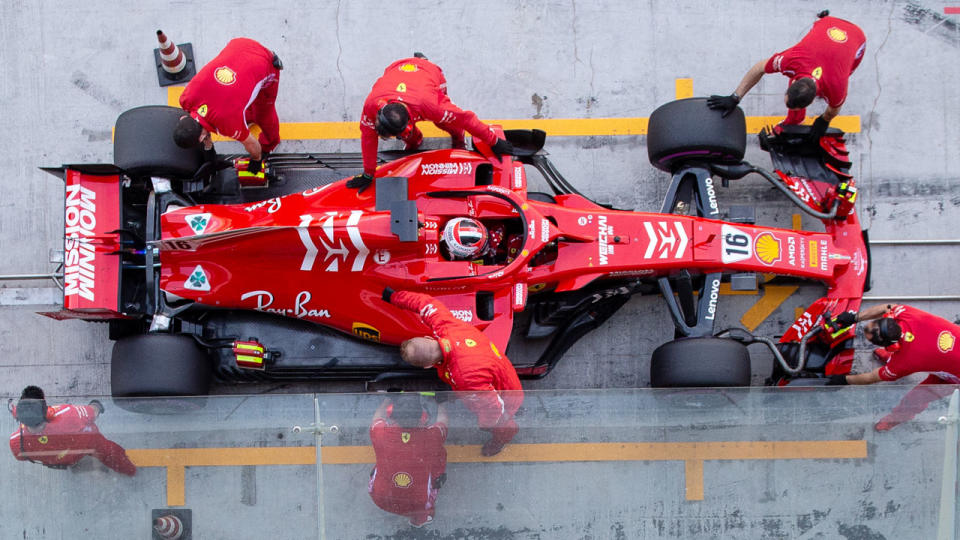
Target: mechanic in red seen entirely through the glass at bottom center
(411, 459)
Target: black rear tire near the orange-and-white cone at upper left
(143, 144)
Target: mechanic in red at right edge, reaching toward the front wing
(910, 341)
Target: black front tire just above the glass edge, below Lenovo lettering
(700, 362)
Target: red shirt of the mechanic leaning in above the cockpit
(421, 86)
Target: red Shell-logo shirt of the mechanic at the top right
(829, 53)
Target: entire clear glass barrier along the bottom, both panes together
(731, 463)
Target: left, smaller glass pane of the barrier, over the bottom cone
(233, 462)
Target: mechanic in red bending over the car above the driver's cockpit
(412, 90)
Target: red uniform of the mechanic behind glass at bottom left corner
(69, 435)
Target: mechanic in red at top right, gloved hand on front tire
(820, 65)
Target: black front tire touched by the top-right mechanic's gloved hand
(688, 130)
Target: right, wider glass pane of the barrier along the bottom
(730, 463)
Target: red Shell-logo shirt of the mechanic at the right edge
(929, 344)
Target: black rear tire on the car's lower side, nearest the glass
(159, 365)
